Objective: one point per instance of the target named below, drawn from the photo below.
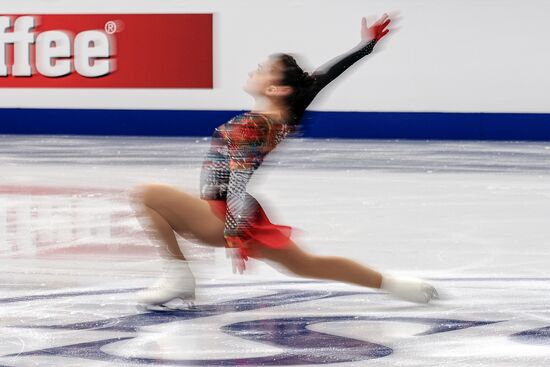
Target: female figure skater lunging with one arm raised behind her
(226, 215)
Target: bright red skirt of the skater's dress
(261, 232)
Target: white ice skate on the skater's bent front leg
(176, 283)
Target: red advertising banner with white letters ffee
(106, 51)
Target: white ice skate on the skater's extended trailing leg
(409, 289)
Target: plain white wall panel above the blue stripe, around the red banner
(448, 56)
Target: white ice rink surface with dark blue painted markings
(472, 217)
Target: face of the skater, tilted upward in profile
(265, 80)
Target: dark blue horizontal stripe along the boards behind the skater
(317, 124)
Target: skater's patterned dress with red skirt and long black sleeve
(240, 146)
